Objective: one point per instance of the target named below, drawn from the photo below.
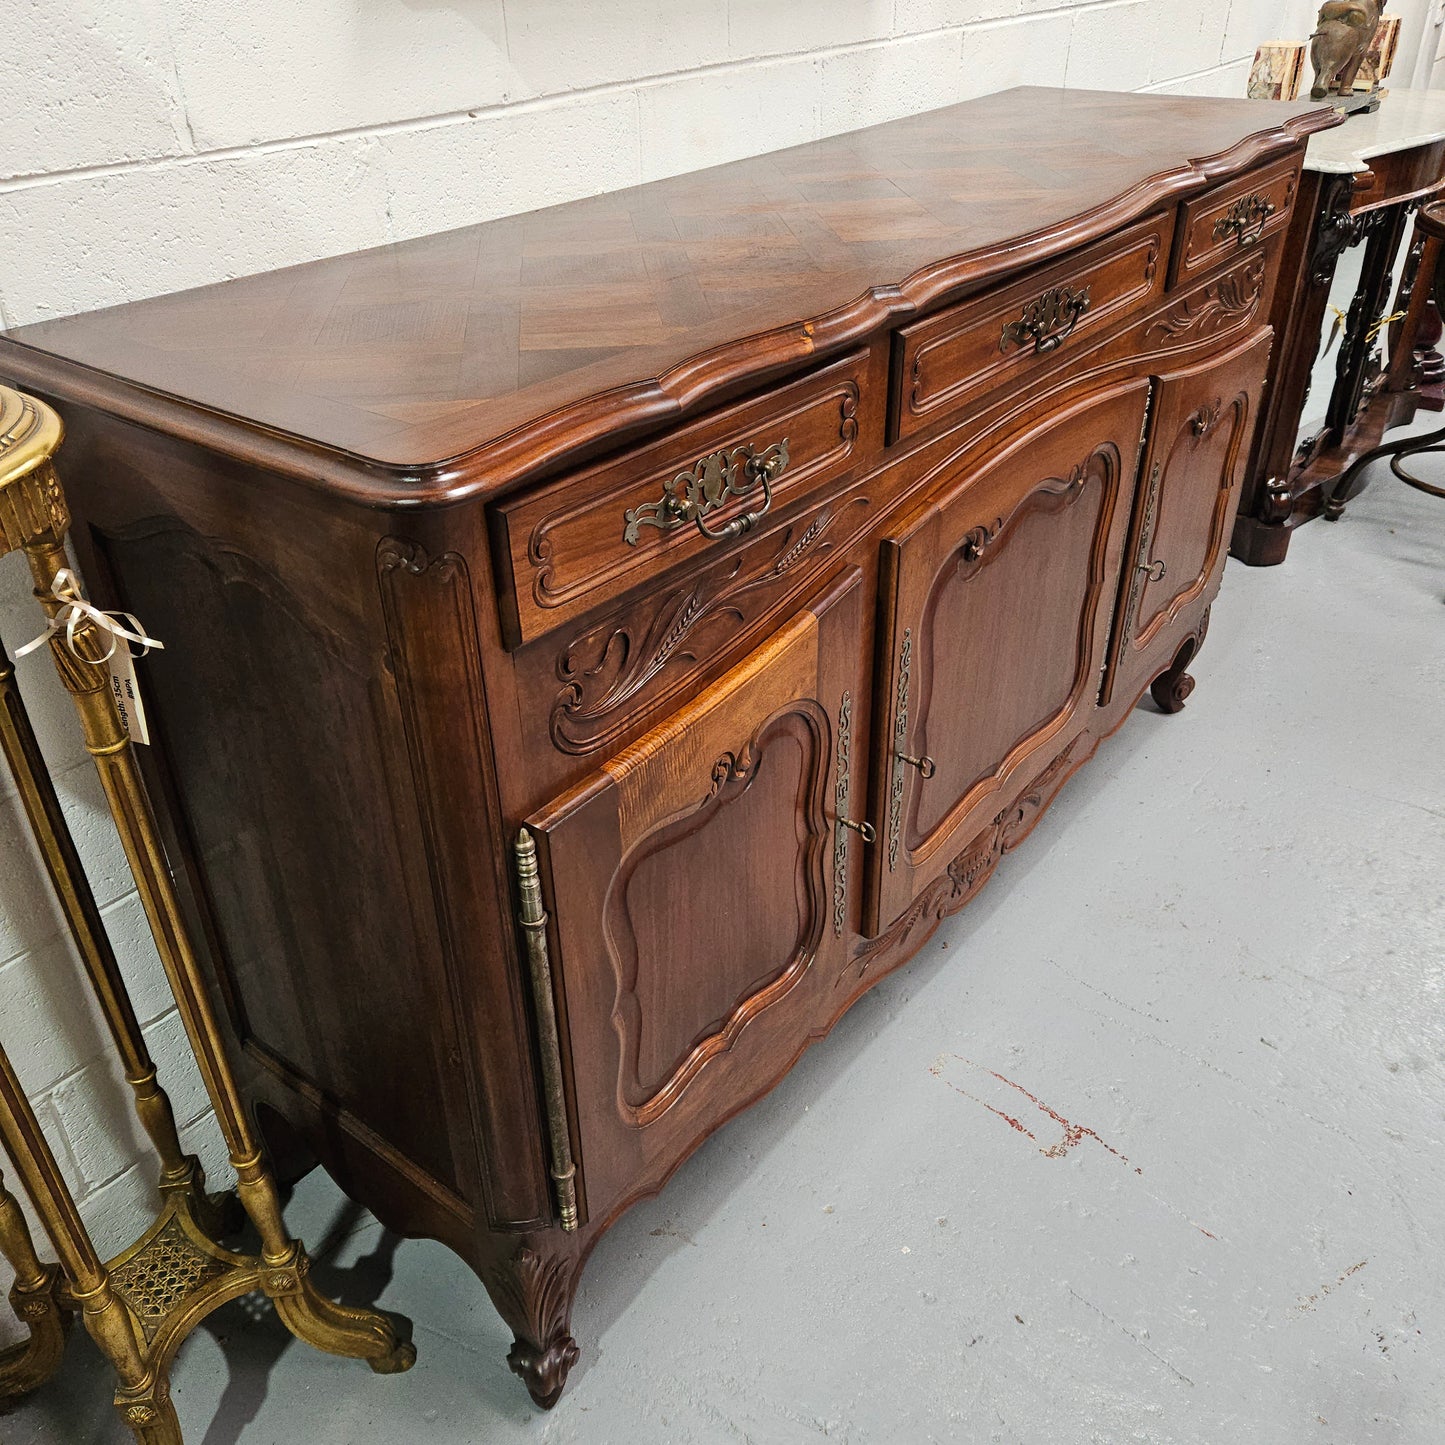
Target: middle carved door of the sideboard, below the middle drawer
(996, 600)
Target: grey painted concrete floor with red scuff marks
(1145, 1147)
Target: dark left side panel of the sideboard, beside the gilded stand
(278, 732)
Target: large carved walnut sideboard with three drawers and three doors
(602, 644)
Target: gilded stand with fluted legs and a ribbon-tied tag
(145, 1303)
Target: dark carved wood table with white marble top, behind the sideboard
(1359, 187)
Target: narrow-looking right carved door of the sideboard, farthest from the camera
(1189, 495)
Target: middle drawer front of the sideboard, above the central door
(952, 359)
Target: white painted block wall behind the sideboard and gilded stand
(147, 147)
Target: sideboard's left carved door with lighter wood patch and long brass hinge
(702, 892)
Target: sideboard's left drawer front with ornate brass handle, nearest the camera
(593, 535)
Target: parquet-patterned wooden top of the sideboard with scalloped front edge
(457, 363)
